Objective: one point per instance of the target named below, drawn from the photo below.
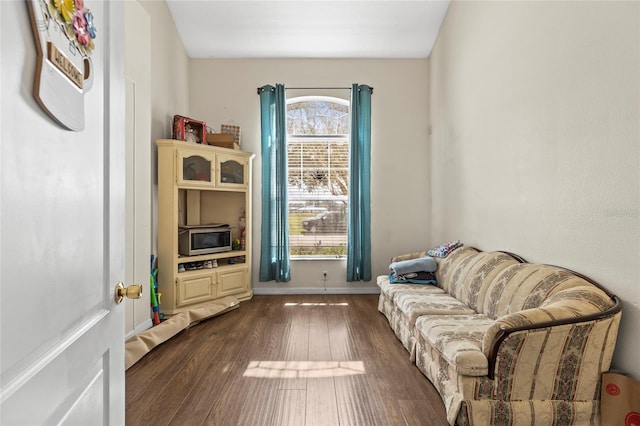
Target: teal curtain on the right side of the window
(359, 226)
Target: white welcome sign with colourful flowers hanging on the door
(64, 32)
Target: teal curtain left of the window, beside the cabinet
(274, 244)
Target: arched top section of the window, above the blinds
(318, 115)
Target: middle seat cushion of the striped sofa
(415, 304)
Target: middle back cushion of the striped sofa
(476, 274)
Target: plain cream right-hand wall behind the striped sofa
(536, 139)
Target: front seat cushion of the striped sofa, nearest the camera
(458, 339)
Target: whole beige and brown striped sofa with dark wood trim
(506, 342)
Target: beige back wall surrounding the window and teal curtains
(222, 91)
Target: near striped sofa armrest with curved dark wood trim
(544, 350)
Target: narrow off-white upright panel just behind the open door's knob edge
(138, 163)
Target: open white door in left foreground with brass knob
(62, 232)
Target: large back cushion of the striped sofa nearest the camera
(527, 286)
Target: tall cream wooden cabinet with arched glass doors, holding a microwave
(201, 185)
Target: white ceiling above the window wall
(308, 28)
